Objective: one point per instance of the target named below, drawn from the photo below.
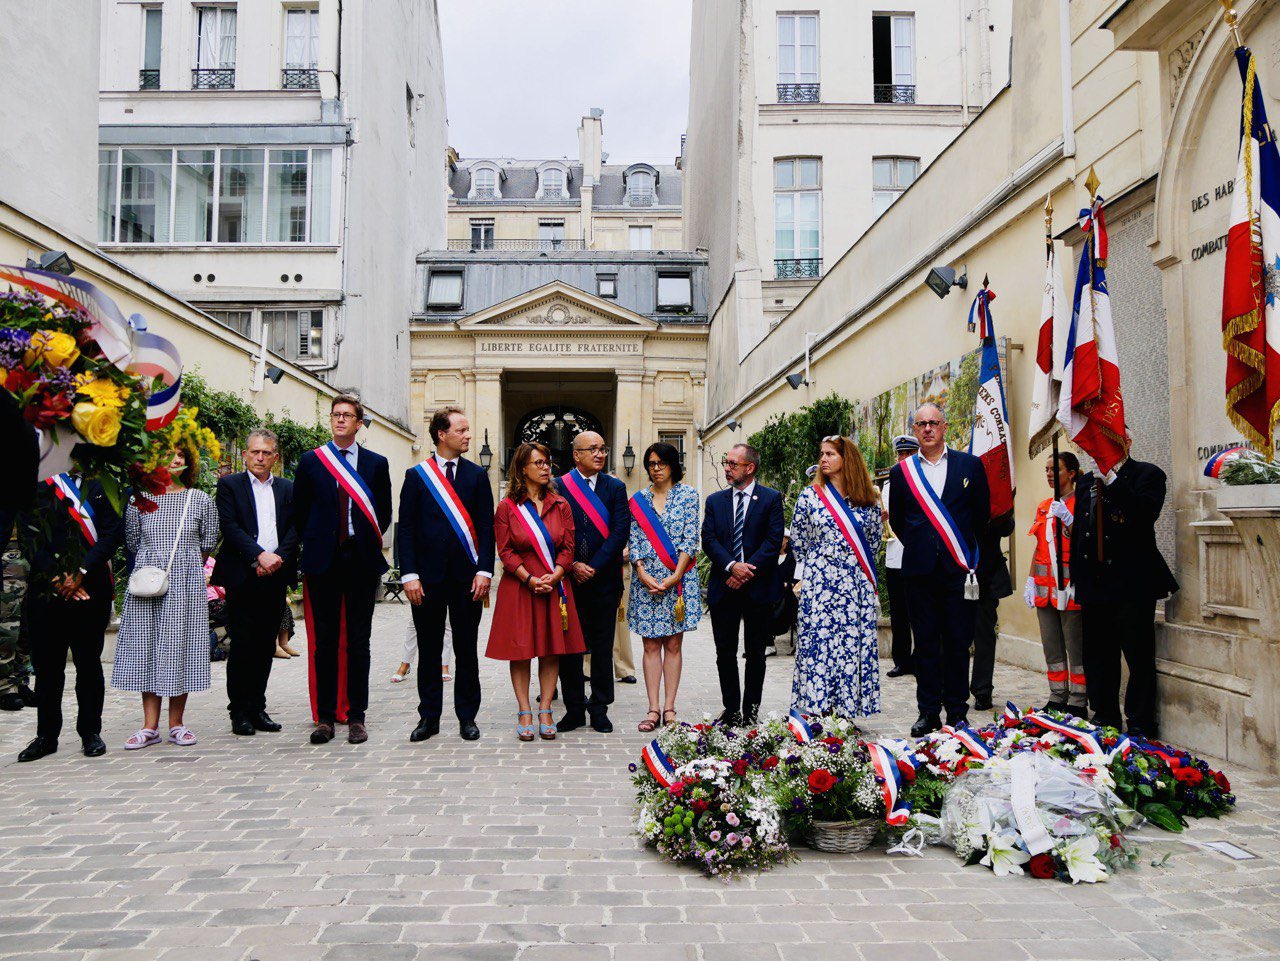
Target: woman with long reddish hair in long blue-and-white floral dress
(838, 658)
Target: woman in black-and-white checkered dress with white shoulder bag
(163, 647)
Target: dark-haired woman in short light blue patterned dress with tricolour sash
(652, 603)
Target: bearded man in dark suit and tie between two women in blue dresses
(742, 537)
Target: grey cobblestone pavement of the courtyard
(271, 849)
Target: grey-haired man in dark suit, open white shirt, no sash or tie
(257, 565)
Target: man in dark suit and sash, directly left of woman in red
(447, 566)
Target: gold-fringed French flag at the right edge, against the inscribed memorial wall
(1251, 318)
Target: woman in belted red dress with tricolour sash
(536, 616)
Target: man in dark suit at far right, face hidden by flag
(1119, 575)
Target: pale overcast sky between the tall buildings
(520, 75)
